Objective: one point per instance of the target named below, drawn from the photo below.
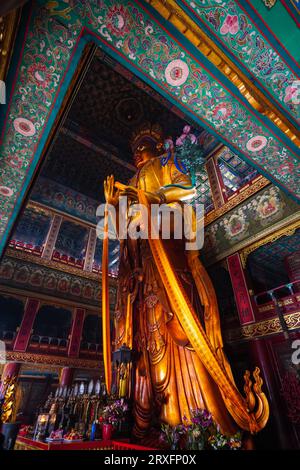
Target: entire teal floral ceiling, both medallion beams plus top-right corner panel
(52, 38)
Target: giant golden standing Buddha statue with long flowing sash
(167, 311)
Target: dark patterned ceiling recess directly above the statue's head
(112, 103)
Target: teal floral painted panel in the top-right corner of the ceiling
(231, 25)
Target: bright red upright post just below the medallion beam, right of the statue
(240, 289)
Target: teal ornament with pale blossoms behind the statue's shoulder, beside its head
(188, 152)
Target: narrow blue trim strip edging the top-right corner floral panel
(238, 63)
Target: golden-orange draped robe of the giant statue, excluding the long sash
(170, 379)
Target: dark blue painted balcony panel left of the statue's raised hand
(59, 197)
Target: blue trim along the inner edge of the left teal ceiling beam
(68, 77)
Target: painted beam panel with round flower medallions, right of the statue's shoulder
(259, 212)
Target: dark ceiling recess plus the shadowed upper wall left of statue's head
(109, 105)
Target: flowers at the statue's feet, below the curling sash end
(200, 433)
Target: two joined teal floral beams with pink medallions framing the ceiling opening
(52, 44)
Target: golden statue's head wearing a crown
(146, 143)
